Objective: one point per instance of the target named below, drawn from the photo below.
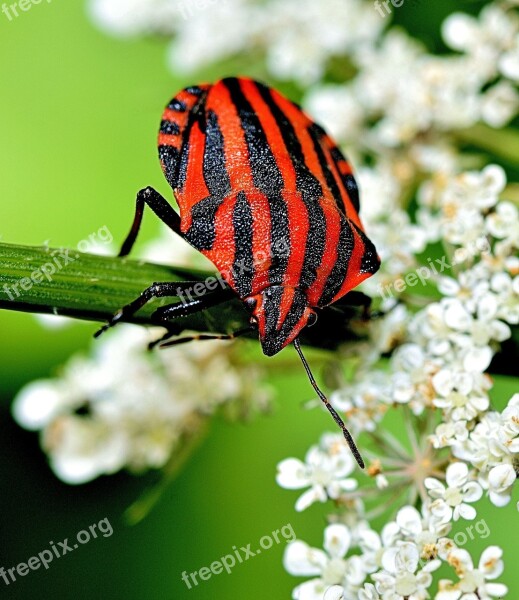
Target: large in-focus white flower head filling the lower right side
(439, 365)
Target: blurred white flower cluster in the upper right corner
(408, 95)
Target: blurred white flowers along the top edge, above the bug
(296, 36)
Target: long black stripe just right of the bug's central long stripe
(309, 188)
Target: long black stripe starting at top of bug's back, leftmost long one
(267, 178)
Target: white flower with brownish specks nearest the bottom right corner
(474, 583)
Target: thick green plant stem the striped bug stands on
(94, 287)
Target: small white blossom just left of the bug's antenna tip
(325, 470)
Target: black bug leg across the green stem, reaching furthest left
(161, 290)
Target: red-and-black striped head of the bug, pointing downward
(280, 313)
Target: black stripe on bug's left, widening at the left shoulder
(202, 232)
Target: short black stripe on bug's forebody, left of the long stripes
(243, 266)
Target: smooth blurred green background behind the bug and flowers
(78, 120)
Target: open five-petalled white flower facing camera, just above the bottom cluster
(451, 502)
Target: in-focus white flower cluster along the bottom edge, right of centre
(400, 562)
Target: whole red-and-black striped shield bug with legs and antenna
(269, 198)
